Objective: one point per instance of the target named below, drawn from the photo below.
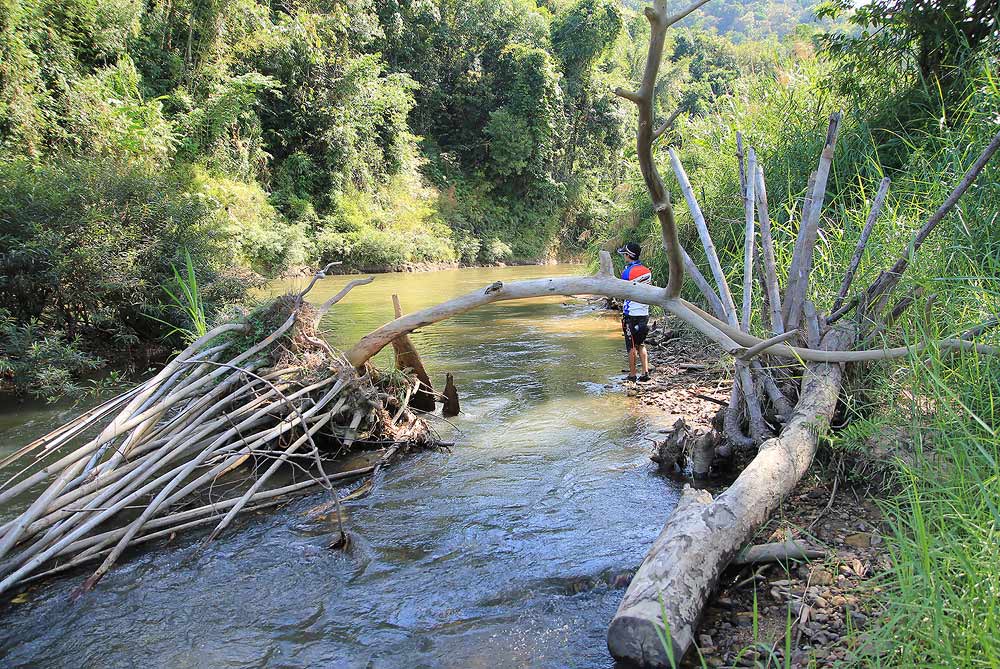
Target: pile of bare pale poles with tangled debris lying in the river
(198, 443)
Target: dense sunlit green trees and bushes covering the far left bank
(261, 137)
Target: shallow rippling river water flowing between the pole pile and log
(512, 550)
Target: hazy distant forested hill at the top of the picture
(746, 19)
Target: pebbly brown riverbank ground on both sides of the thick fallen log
(816, 614)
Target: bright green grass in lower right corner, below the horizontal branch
(942, 594)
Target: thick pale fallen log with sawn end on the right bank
(702, 535)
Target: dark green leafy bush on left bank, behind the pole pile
(85, 250)
